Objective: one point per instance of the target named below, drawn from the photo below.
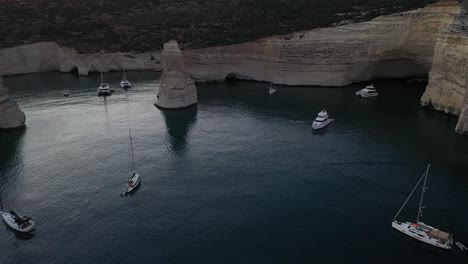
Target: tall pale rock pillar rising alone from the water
(177, 89)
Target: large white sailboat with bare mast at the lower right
(419, 230)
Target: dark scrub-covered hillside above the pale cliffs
(133, 25)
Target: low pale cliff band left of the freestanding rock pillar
(48, 56)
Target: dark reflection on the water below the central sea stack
(178, 125)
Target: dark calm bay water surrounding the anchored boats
(240, 179)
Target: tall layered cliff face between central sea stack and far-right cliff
(399, 45)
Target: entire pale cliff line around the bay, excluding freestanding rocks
(429, 41)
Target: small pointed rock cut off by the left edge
(11, 117)
